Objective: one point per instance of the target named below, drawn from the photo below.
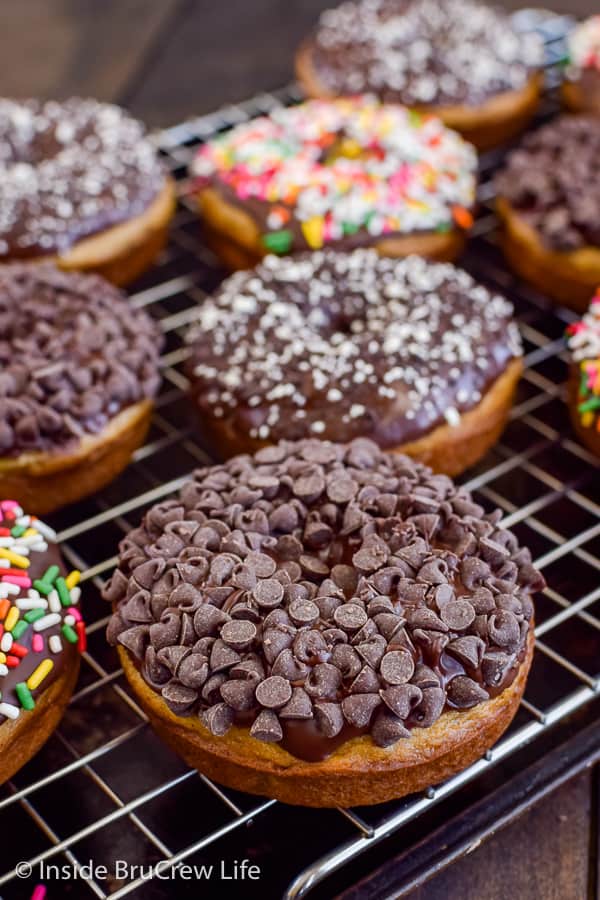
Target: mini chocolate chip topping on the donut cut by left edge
(73, 354)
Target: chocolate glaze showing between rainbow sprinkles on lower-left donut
(40, 561)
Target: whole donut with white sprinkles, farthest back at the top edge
(457, 59)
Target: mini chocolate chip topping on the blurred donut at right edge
(553, 182)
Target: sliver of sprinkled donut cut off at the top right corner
(581, 85)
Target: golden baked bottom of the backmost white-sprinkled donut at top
(493, 122)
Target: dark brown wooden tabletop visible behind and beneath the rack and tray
(168, 59)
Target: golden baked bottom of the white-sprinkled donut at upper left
(121, 253)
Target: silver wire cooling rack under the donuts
(105, 789)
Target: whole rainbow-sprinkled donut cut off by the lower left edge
(41, 636)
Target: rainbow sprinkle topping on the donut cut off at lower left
(31, 620)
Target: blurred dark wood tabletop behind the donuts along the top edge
(164, 59)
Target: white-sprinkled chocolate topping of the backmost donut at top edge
(441, 52)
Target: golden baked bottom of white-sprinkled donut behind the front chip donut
(448, 449)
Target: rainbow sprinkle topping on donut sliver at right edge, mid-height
(584, 343)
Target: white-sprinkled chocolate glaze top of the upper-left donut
(69, 170)
